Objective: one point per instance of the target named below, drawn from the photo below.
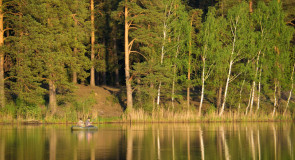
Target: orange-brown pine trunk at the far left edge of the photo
(2, 93)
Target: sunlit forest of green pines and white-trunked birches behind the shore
(190, 58)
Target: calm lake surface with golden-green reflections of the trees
(150, 142)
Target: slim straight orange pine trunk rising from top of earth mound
(92, 71)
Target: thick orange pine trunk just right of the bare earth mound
(127, 67)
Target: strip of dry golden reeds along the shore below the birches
(162, 115)
